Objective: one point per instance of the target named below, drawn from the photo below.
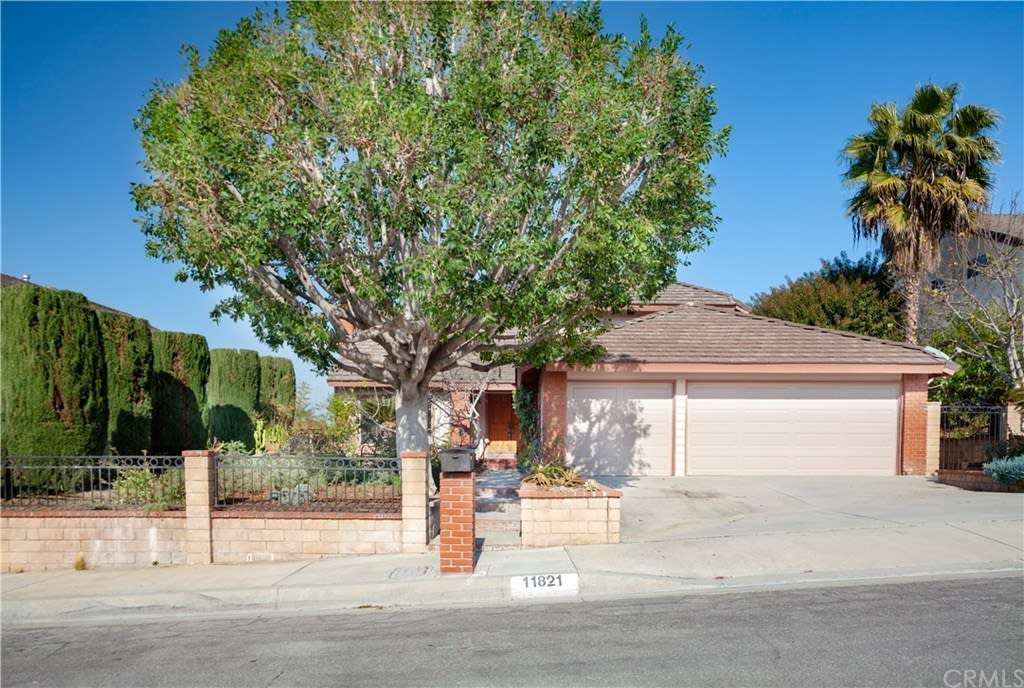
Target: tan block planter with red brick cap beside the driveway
(553, 517)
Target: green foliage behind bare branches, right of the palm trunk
(977, 382)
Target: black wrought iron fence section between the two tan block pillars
(310, 484)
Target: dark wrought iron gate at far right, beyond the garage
(968, 433)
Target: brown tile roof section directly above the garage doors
(702, 334)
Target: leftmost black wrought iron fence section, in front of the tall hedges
(149, 484)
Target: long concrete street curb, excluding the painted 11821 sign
(462, 591)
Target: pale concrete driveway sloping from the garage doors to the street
(804, 531)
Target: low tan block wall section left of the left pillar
(56, 540)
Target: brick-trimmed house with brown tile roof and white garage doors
(692, 384)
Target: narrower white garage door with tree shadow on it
(620, 429)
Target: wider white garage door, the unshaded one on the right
(792, 429)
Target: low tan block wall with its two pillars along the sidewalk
(201, 535)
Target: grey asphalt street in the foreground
(951, 634)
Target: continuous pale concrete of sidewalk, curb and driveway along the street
(750, 538)
